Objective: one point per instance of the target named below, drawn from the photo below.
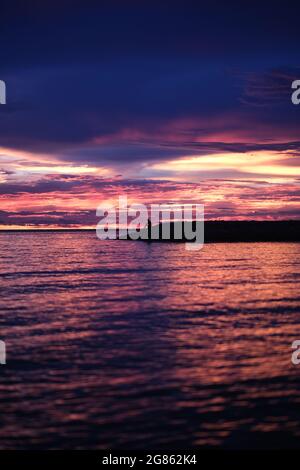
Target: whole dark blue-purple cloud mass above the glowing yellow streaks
(83, 70)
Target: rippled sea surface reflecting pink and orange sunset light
(125, 344)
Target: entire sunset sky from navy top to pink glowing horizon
(161, 101)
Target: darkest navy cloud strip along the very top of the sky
(73, 31)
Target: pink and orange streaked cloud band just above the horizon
(55, 203)
